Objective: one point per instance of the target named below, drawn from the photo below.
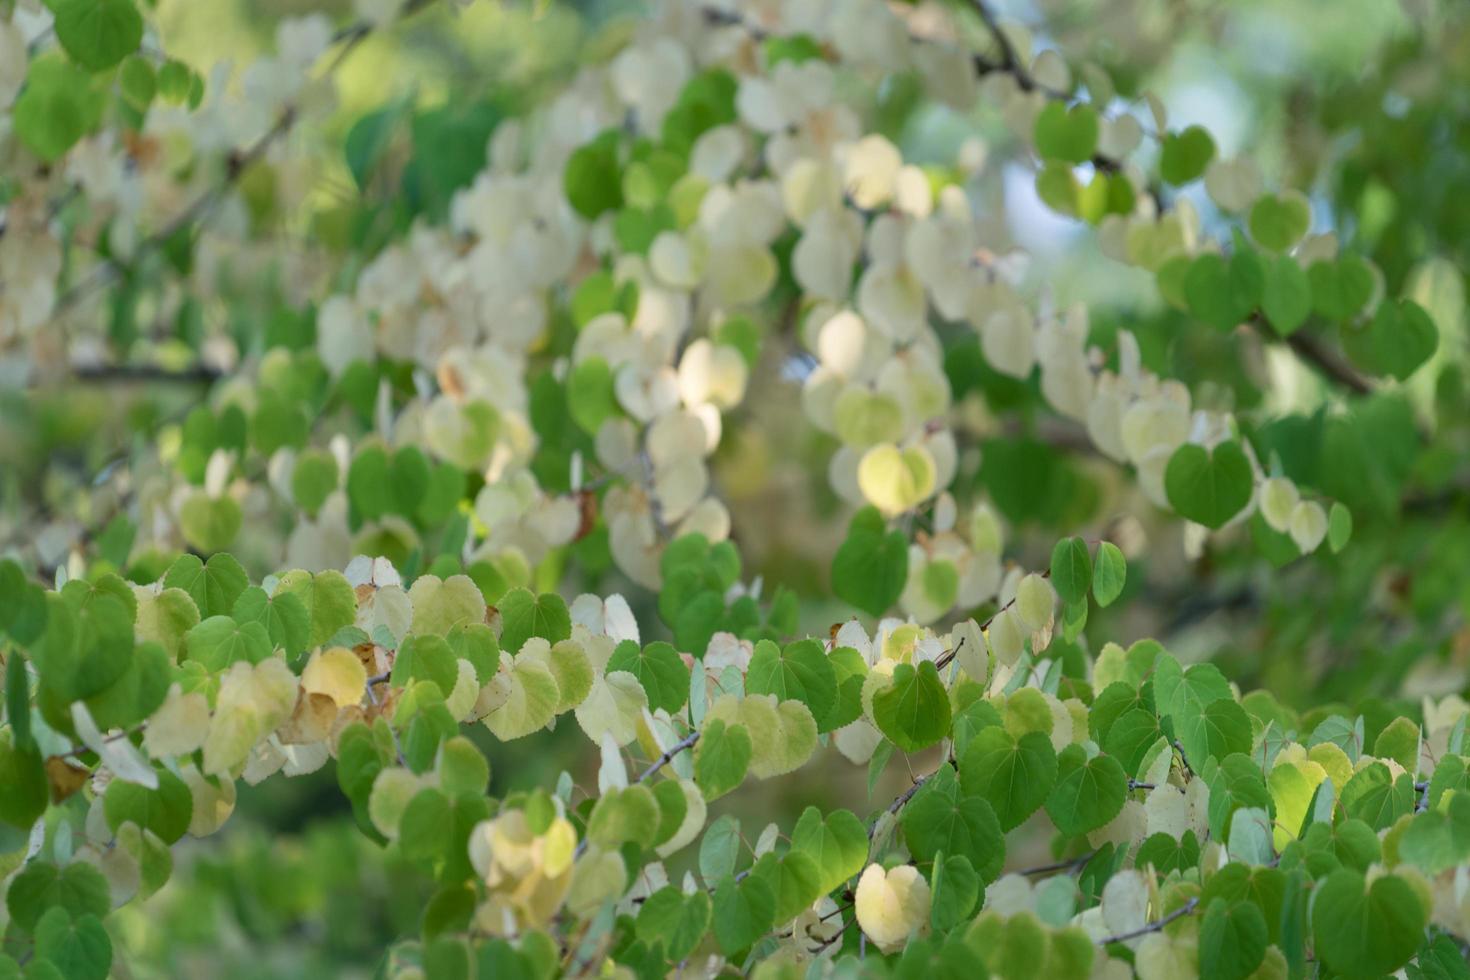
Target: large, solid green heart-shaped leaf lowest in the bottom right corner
(1366, 932)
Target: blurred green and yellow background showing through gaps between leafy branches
(1362, 104)
